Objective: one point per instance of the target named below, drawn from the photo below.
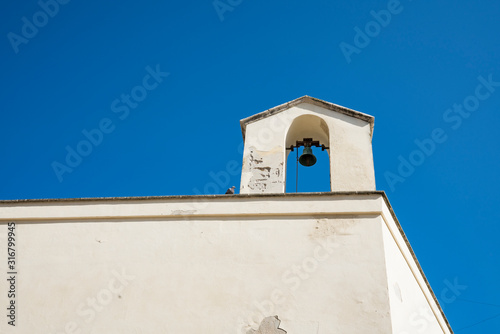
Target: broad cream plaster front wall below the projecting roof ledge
(210, 276)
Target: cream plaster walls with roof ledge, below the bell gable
(216, 264)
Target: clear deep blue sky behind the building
(166, 84)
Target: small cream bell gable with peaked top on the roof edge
(271, 135)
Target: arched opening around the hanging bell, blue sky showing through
(314, 178)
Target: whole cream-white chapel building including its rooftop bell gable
(259, 262)
